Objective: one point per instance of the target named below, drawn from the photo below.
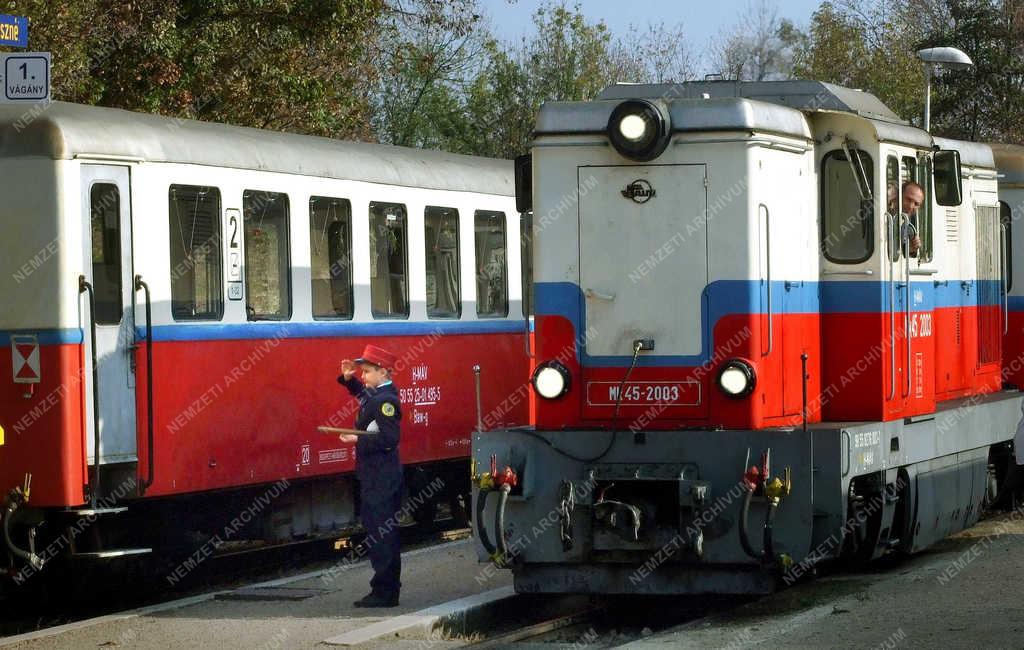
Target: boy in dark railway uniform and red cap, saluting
(378, 468)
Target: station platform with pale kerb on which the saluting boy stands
(302, 612)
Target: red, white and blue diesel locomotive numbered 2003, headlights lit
(743, 368)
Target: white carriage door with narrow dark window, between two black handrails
(107, 200)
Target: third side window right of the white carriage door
(331, 257)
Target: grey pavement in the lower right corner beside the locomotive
(965, 593)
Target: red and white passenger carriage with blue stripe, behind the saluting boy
(178, 299)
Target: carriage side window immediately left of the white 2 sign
(197, 291)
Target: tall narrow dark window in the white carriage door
(105, 208)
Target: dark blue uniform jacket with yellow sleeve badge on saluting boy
(377, 464)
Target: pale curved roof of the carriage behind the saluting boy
(65, 132)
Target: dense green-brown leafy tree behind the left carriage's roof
(307, 67)
